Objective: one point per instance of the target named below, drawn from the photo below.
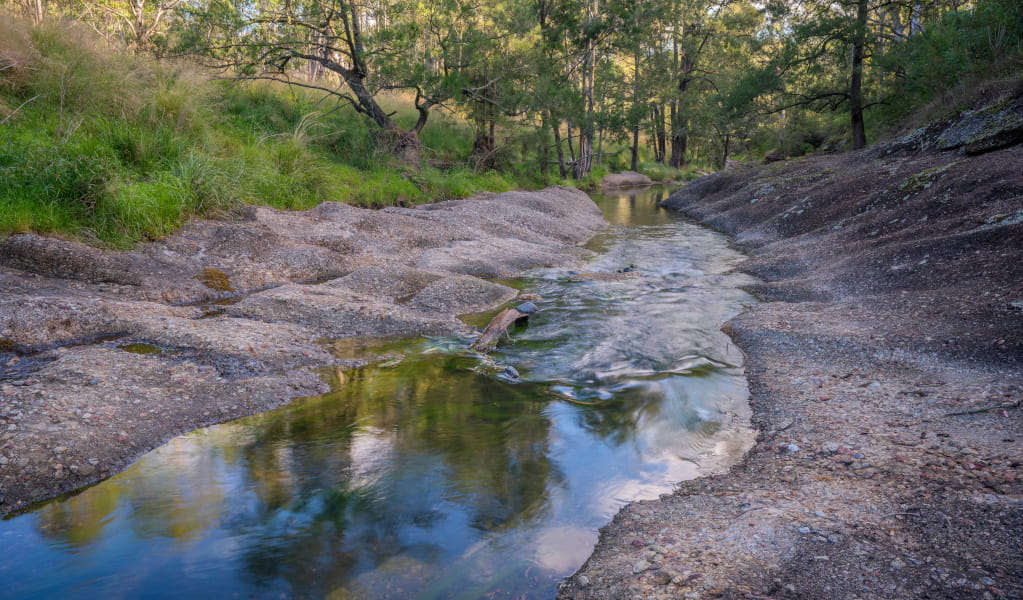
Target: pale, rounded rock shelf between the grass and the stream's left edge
(107, 355)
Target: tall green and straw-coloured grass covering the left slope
(114, 149)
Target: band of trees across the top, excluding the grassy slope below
(574, 83)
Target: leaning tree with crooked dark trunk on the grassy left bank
(351, 50)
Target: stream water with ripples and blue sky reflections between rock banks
(435, 473)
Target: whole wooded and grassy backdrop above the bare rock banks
(122, 119)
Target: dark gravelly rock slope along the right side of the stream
(886, 375)
